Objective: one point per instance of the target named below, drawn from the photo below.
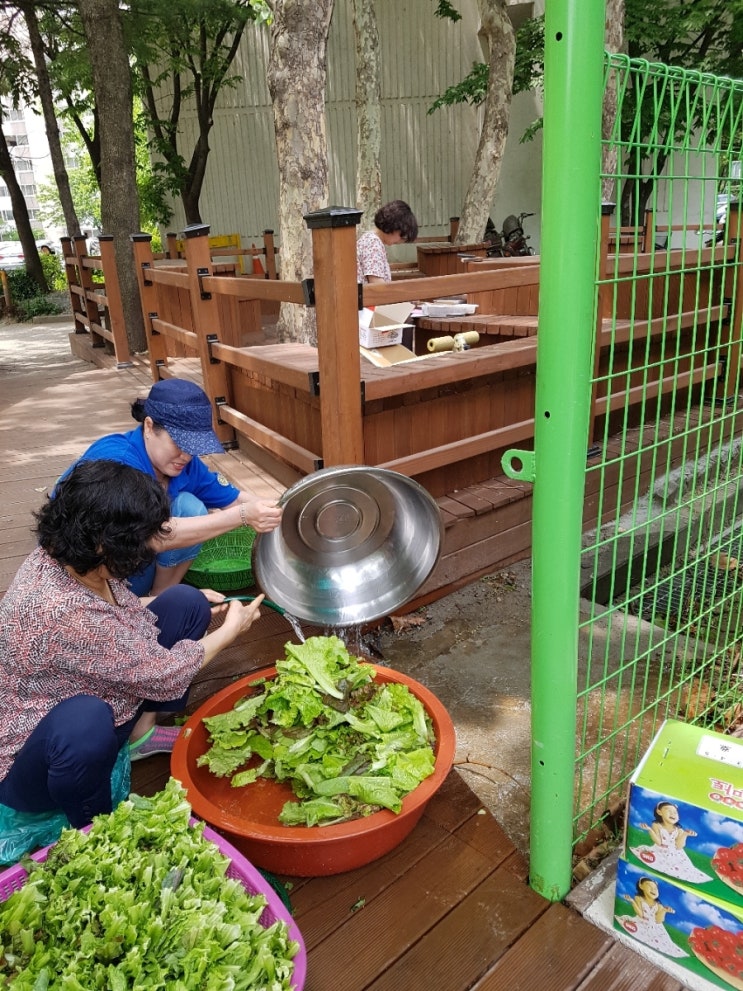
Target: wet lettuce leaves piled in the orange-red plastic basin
(348, 745)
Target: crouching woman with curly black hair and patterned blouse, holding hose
(85, 666)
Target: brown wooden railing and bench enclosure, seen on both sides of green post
(445, 419)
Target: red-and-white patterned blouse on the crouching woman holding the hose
(59, 639)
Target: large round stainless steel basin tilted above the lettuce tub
(354, 544)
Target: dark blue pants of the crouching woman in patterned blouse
(67, 760)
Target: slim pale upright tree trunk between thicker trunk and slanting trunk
(368, 111)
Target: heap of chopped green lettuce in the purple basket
(140, 901)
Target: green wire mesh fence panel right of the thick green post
(662, 560)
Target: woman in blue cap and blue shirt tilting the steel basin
(175, 428)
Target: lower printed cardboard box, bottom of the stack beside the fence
(700, 934)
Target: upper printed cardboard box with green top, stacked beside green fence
(685, 811)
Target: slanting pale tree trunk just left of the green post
(496, 32)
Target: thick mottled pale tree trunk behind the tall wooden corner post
(297, 69)
